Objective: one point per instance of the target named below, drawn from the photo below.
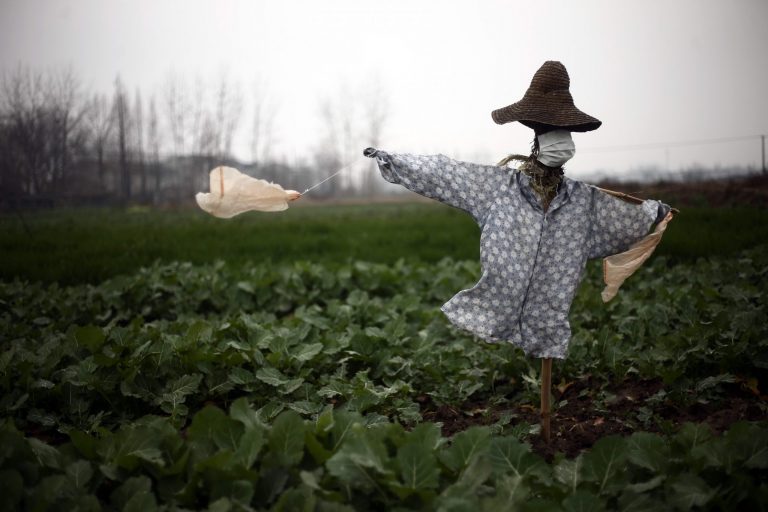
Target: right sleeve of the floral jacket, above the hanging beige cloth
(617, 224)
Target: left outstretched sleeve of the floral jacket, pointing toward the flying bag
(468, 186)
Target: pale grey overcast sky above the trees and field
(652, 71)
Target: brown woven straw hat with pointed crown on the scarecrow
(548, 102)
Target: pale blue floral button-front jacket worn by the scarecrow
(532, 261)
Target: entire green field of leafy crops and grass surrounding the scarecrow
(299, 361)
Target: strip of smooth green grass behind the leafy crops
(76, 246)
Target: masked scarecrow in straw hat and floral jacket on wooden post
(538, 227)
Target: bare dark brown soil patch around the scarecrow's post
(580, 422)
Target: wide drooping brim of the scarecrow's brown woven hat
(565, 116)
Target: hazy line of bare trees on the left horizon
(62, 144)
